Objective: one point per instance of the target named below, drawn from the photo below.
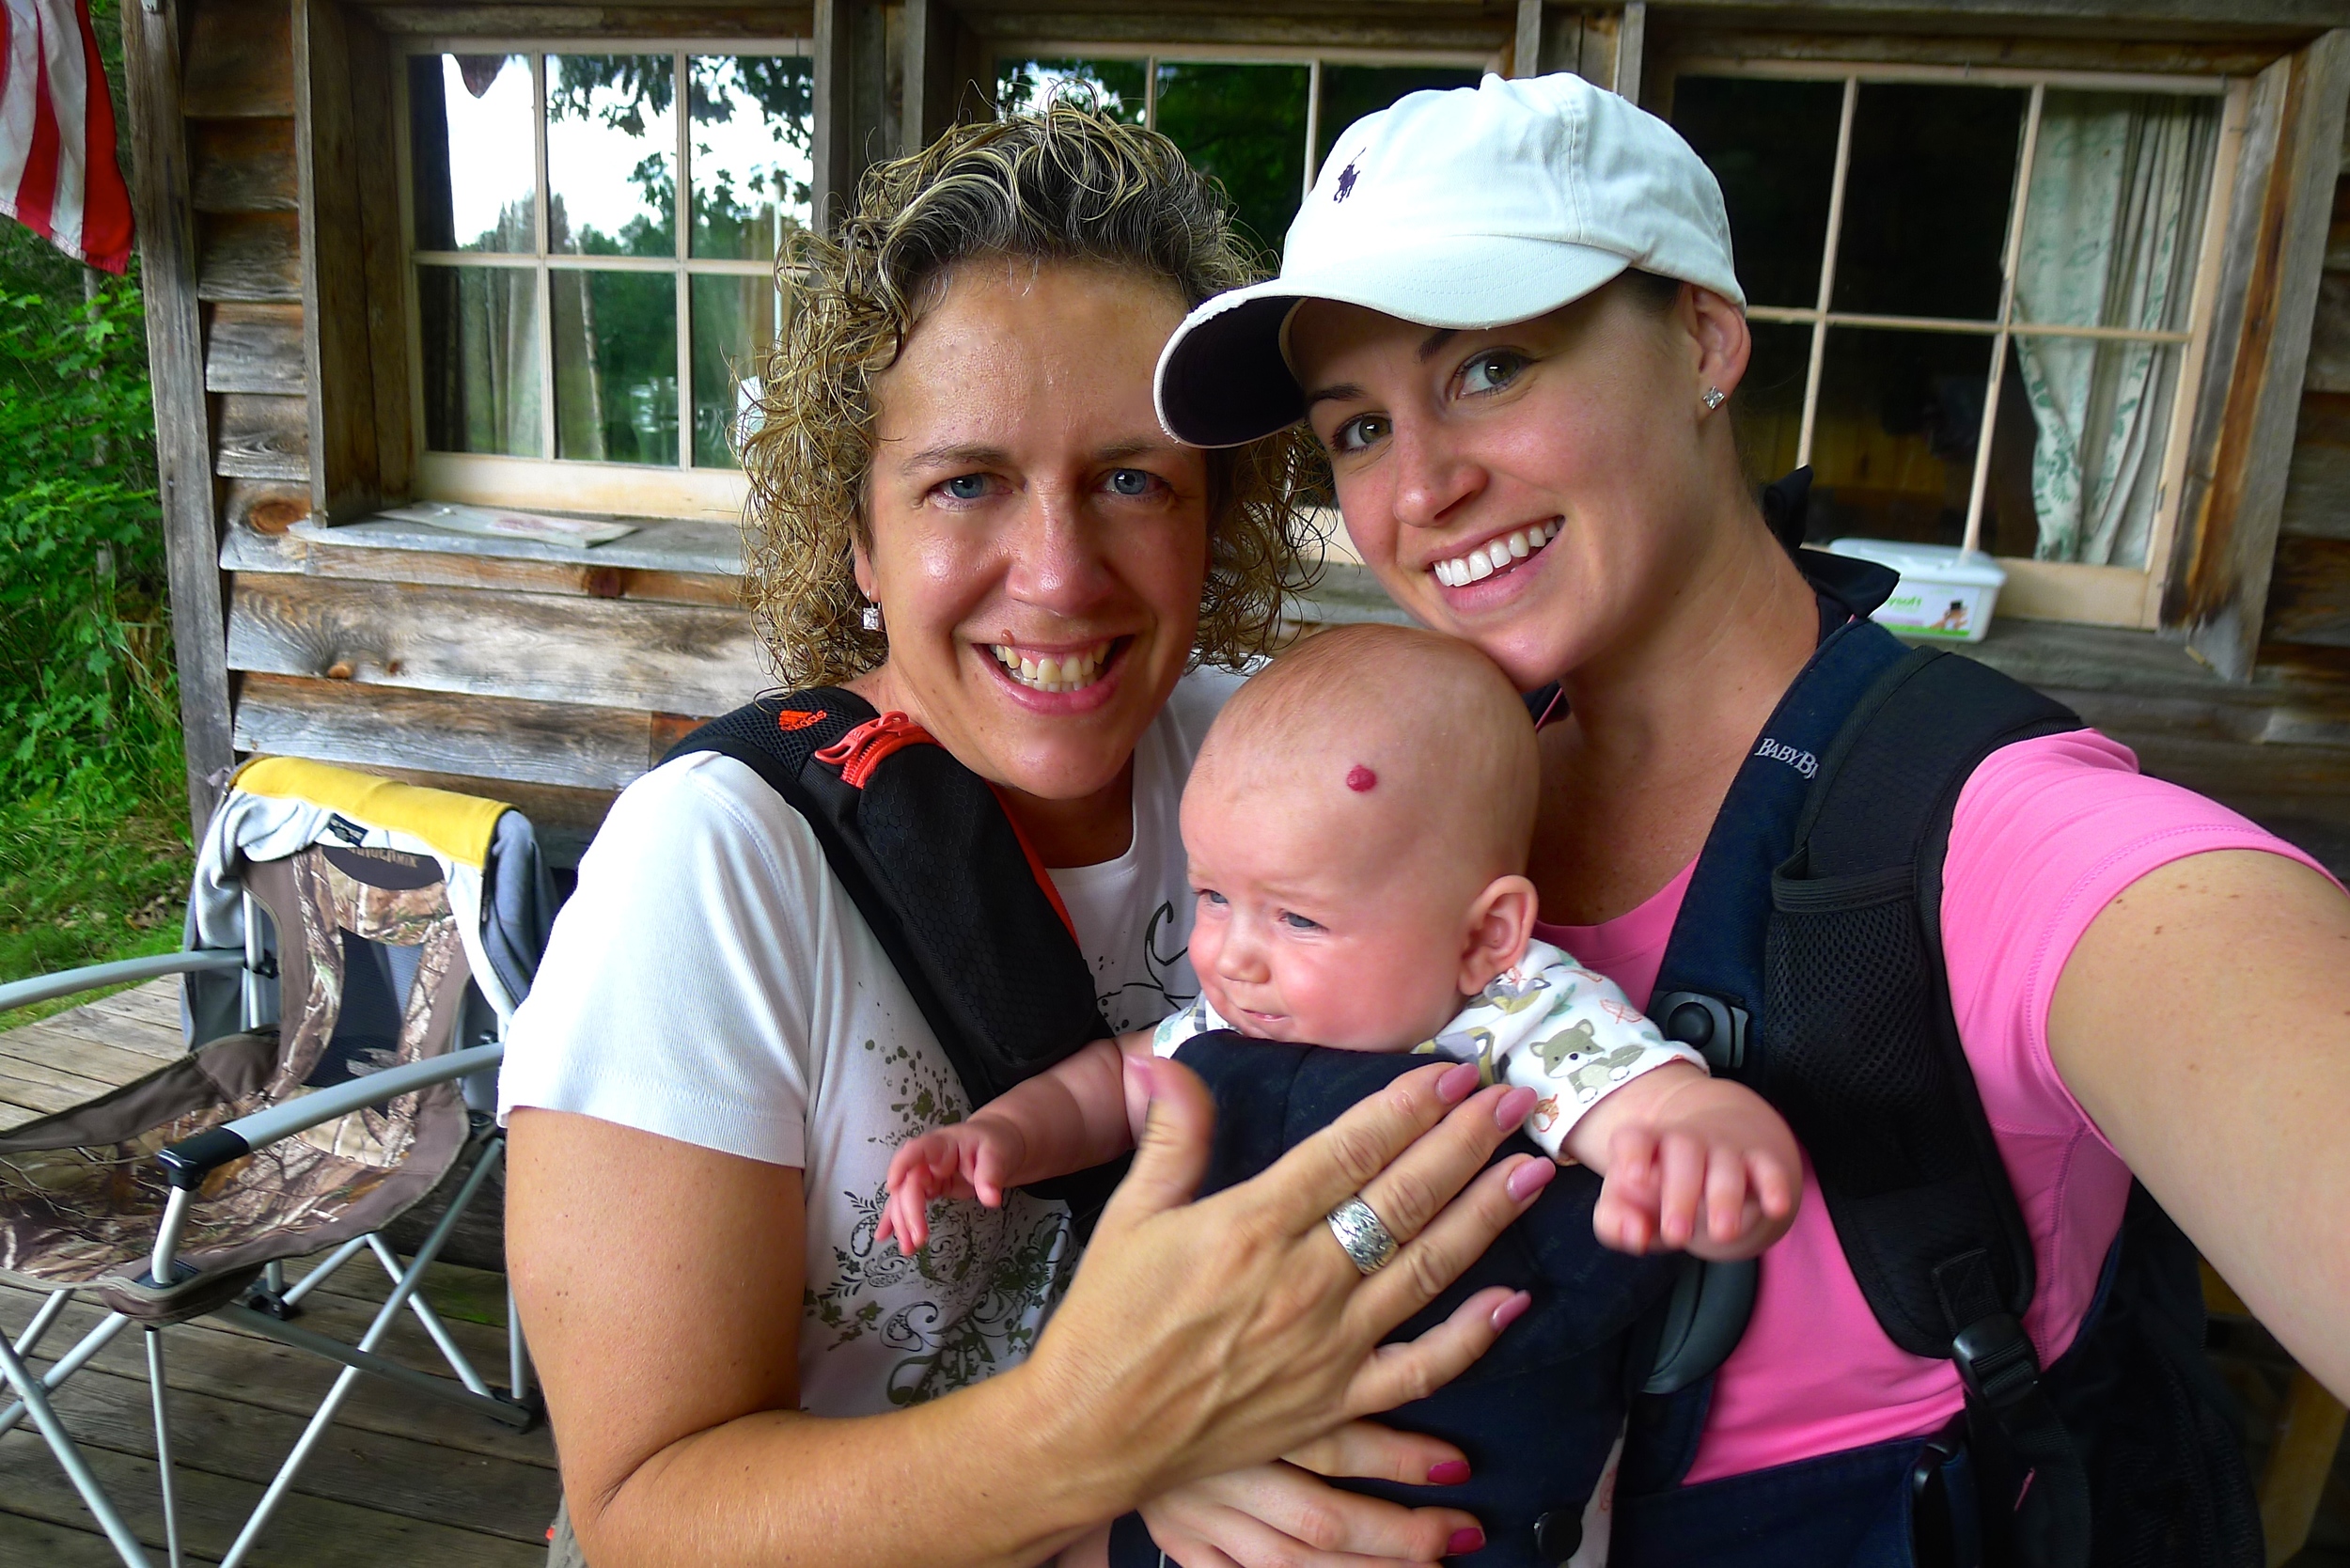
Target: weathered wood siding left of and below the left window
(551, 683)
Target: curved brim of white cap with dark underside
(1223, 377)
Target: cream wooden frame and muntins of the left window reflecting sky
(577, 485)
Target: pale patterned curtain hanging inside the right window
(2109, 241)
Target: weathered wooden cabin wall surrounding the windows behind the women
(271, 232)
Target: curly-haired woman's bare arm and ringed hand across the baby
(662, 1289)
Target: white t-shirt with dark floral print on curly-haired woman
(711, 981)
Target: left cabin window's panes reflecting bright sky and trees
(593, 241)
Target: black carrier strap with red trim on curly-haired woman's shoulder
(941, 876)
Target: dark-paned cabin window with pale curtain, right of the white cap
(1975, 304)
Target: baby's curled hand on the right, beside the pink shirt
(1693, 1162)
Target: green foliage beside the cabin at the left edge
(93, 800)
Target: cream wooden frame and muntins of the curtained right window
(2041, 591)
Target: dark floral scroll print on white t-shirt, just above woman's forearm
(986, 1278)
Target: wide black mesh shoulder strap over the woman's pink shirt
(1862, 1057)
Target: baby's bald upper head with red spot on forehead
(1414, 739)
